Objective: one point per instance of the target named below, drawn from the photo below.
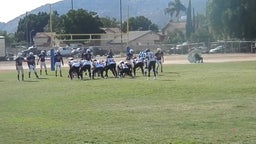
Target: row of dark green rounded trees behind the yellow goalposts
(74, 22)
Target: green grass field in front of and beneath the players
(187, 104)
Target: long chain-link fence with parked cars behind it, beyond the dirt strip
(185, 48)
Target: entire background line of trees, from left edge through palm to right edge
(228, 20)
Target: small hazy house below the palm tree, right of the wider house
(174, 26)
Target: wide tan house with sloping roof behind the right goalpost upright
(137, 40)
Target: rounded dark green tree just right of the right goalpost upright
(140, 23)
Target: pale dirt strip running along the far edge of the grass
(169, 59)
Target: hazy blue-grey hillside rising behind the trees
(152, 9)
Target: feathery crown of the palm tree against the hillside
(175, 7)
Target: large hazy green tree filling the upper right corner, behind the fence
(232, 18)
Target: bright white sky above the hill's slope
(10, 9)
